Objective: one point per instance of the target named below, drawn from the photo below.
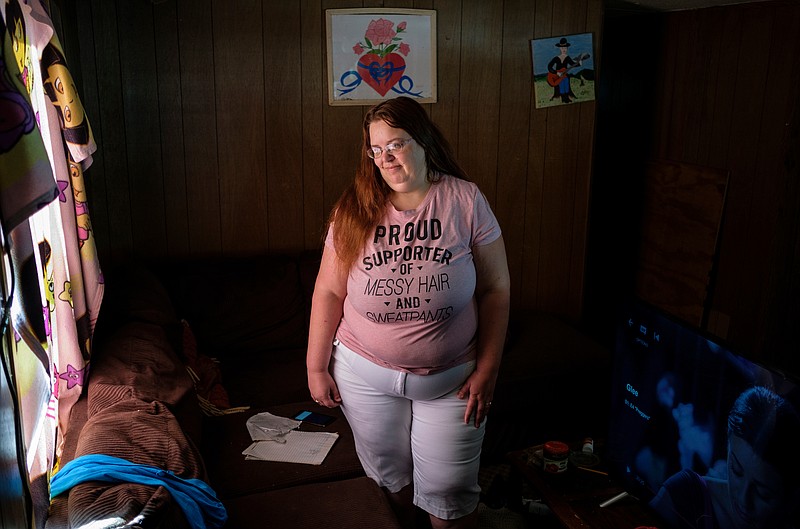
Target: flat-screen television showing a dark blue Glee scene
(673, 390)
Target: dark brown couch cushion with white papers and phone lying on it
(232, 476)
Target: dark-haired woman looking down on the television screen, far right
(760, 490)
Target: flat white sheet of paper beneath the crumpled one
(300, 447)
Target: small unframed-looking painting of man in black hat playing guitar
(563, 70)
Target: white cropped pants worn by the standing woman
(411, 428)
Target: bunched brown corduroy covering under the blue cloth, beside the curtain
(139, 407)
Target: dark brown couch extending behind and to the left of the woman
(186, 352)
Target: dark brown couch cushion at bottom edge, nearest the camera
(356, 503)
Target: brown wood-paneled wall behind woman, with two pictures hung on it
(215, 136)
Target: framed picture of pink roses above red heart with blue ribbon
(381, 53)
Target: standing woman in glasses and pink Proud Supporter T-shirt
(409, 315)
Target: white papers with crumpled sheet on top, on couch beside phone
(276, 439)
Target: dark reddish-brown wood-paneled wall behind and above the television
(729, 89)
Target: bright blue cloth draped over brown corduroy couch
(198, 501)
